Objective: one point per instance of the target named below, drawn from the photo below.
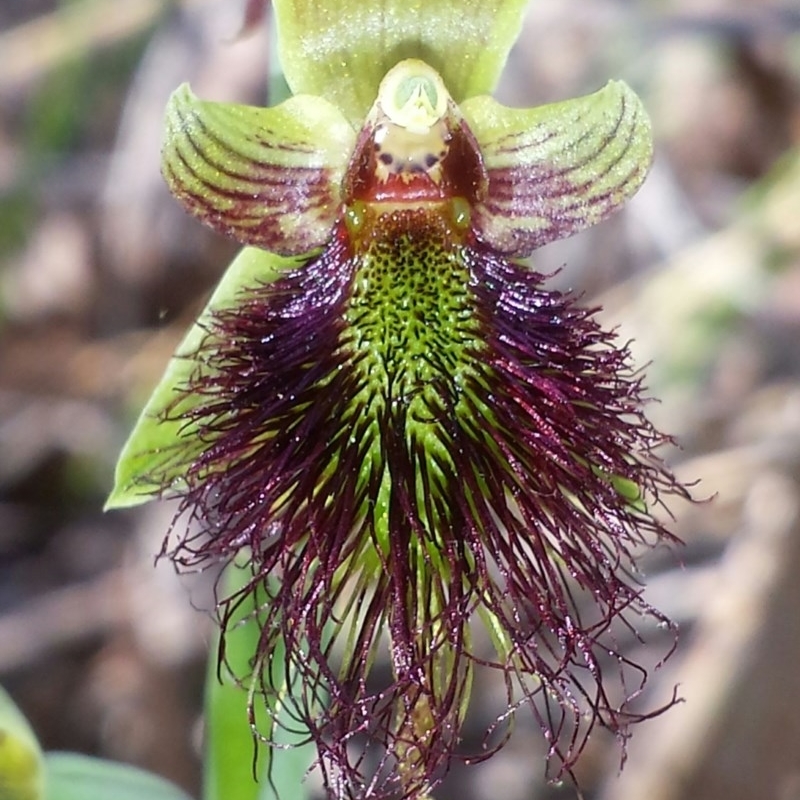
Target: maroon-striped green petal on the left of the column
(267, 177)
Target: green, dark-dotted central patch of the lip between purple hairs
(410, 318)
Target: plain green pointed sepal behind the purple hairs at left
(162, 441)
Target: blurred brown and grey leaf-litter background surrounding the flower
(100, 273)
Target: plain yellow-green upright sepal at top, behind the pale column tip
(341, 49)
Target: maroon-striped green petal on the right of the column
(557, 169)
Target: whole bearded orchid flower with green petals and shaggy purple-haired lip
(434, 458)
